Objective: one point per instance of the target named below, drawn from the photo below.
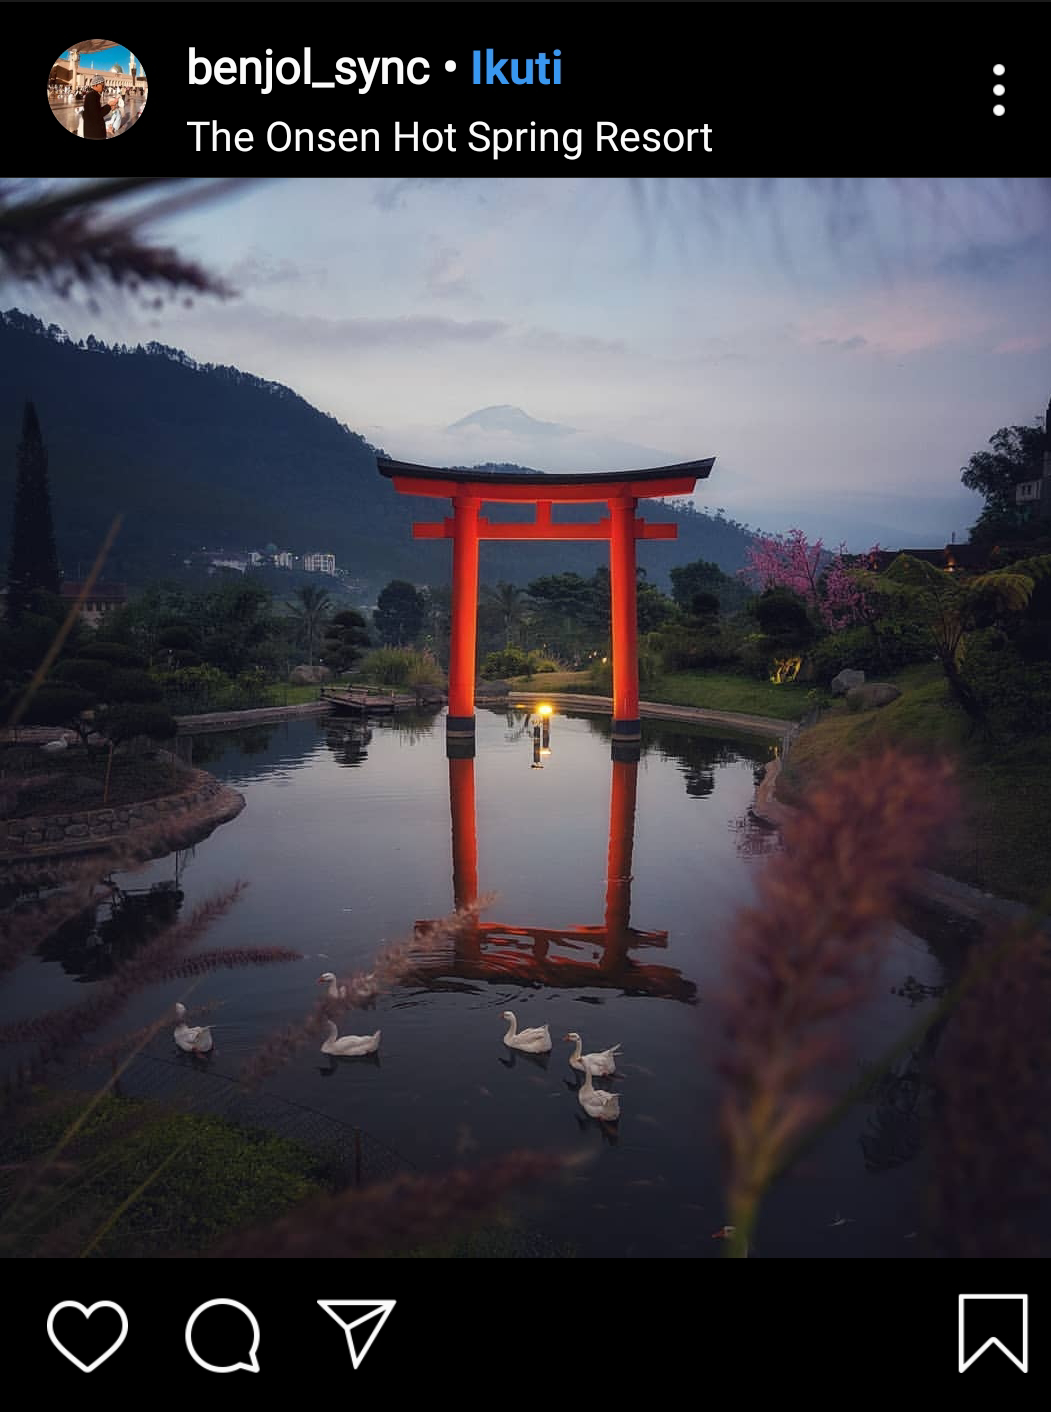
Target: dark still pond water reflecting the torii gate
(612, 892)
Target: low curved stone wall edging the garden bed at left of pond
(203, 796)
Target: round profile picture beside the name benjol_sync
(98, 90)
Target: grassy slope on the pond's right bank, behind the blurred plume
(1002, 839)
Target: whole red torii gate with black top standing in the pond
(471, 489)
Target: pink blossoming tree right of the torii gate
(821, 578)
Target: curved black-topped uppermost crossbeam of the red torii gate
(587, 488)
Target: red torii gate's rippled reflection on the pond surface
(501, 954)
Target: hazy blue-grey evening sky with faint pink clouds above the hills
(841, 349)
